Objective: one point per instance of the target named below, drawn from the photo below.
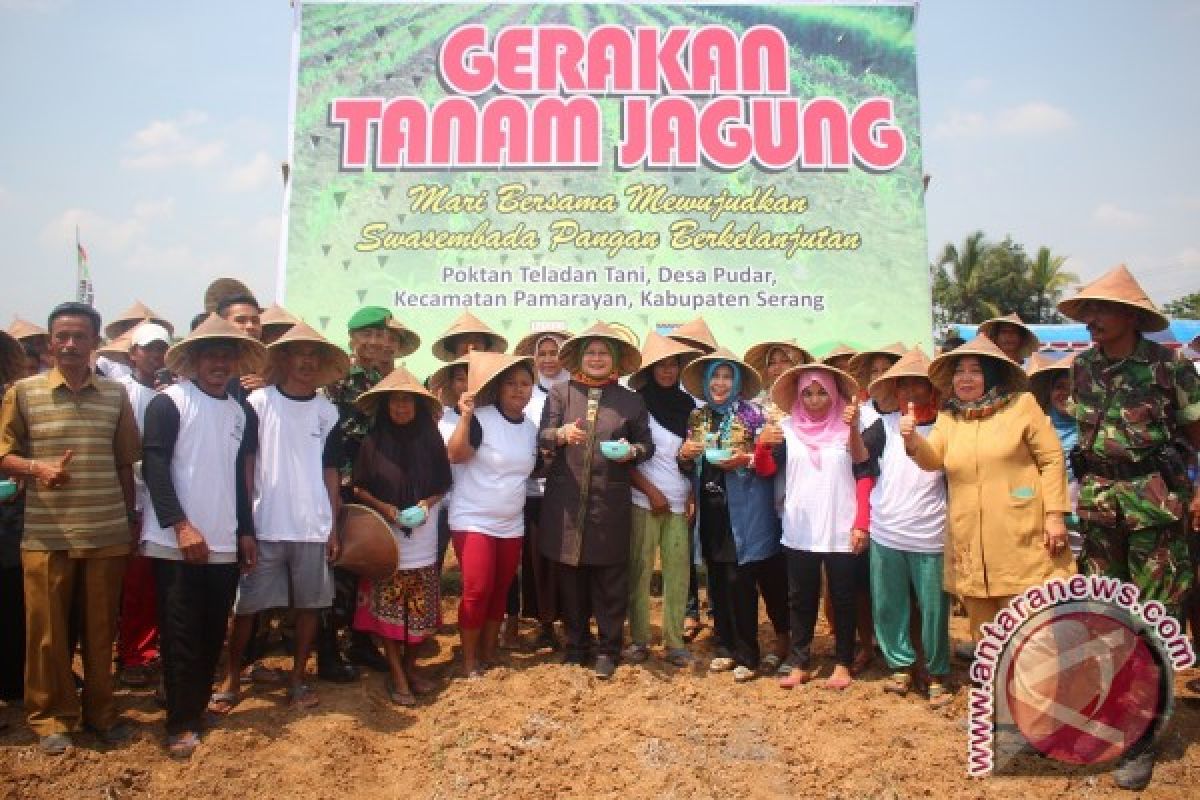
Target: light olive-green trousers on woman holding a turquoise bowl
(668, 537)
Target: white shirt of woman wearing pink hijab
(819, 502)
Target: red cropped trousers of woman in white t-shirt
(488, 566)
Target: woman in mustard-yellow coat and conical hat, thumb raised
(1006, 478)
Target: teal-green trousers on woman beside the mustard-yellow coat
(893, 575)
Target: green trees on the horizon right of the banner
(981, 279)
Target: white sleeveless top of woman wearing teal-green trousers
(908, 503)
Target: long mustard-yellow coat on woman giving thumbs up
(1004, 474)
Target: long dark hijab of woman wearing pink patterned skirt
(401, 465)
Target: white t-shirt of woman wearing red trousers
(490, 490)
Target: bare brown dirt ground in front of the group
(535, 729)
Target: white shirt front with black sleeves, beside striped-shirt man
(203, 470)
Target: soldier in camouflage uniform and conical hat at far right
(1138, 407)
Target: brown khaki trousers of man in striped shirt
(55, 581)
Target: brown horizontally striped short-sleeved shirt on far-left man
(41, 419)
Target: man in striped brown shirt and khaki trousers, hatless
(74, 436)
